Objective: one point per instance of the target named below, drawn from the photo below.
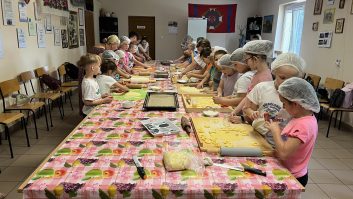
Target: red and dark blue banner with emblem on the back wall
(220, 18)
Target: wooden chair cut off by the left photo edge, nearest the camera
(6, 119)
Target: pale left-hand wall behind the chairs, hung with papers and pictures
(18, 60)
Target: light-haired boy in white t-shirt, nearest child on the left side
(91, 96)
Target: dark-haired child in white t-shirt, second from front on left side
(106, 82)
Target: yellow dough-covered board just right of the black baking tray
(200, 102)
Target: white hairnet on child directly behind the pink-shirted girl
(289, 59)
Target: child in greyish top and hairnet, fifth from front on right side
(229, 76)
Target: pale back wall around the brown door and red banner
(168, 45)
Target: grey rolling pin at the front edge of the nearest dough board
(237, 152)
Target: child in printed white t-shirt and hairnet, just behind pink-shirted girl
(263, 98)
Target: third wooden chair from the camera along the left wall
(47, 97)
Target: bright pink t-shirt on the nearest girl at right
(305, 129)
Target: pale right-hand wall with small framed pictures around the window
(321, 61)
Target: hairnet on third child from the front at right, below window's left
(259, 47)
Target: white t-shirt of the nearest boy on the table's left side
(90, 91)
